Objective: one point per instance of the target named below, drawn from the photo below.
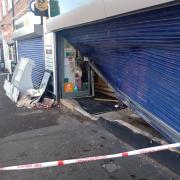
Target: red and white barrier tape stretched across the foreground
(88, 159)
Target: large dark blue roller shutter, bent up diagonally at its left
(140, 56)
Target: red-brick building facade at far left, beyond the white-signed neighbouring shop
(10, 10)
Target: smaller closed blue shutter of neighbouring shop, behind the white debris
(33, 49)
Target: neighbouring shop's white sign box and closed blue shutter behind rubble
(28, 35)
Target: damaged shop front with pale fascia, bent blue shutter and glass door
(126, 45)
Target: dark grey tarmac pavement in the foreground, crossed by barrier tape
(30, 136)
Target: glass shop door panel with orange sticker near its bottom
(76, 73)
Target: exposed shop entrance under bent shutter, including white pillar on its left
(76, 77)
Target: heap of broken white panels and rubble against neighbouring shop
(19, 87)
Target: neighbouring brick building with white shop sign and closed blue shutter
(22, 36)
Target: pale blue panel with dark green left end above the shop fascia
(62, 6)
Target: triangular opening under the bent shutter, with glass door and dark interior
(81, 82)
